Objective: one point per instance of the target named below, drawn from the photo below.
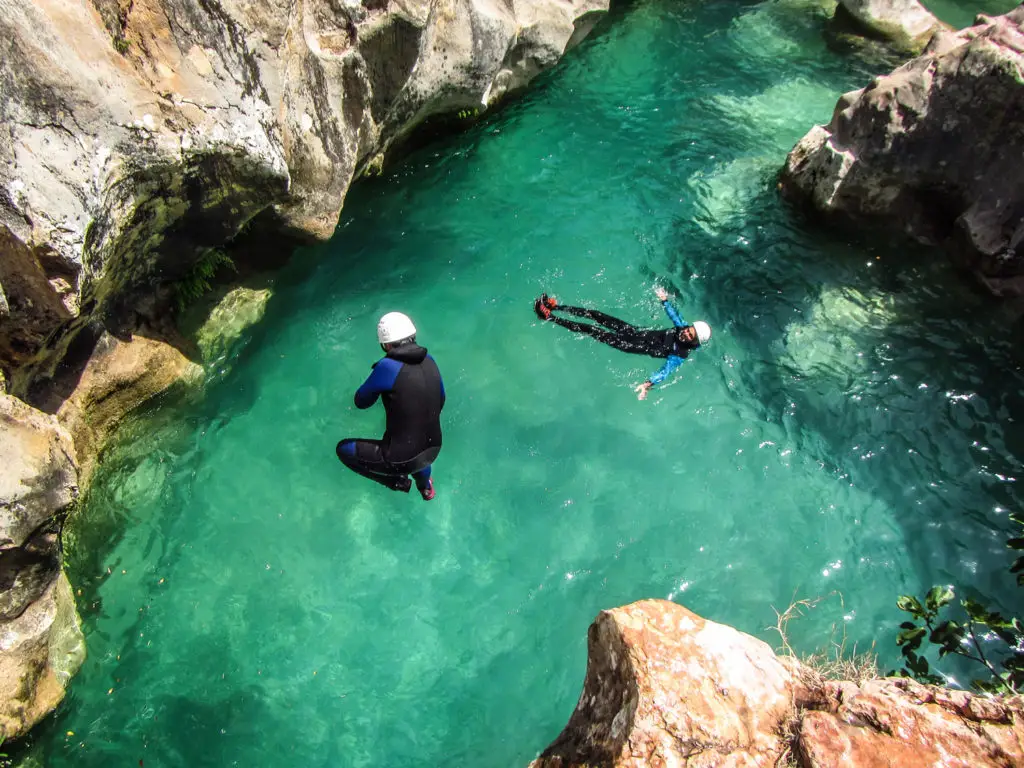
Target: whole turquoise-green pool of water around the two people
(849, 433)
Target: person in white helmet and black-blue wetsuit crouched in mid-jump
(410, 387)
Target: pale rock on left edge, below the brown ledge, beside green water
(39, 629)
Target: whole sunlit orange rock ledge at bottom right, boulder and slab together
(666, 688)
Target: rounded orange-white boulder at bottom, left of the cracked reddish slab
(666, 688)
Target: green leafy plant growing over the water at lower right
(962, 638)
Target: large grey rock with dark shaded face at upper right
(936, 149)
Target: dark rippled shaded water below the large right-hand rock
(877, 350)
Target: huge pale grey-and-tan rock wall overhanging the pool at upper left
(141, 135)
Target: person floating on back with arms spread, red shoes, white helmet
(675, 345)
